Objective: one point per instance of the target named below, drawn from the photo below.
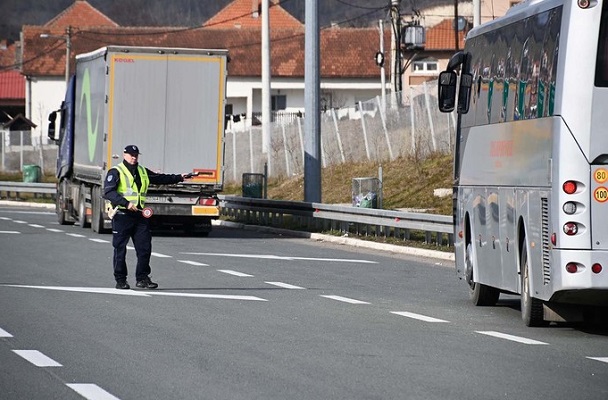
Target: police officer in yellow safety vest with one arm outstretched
(126, 186)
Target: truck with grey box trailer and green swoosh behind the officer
(168, 101)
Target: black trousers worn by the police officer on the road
(131, 225)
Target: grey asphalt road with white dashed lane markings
(248, 315)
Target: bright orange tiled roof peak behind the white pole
(247, 14)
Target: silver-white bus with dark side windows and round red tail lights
(531, 159)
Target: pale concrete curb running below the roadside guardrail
(413, 251)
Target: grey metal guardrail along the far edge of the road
(437, 229)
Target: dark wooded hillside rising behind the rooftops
(345, 13)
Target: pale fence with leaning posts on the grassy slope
(365, 131)
